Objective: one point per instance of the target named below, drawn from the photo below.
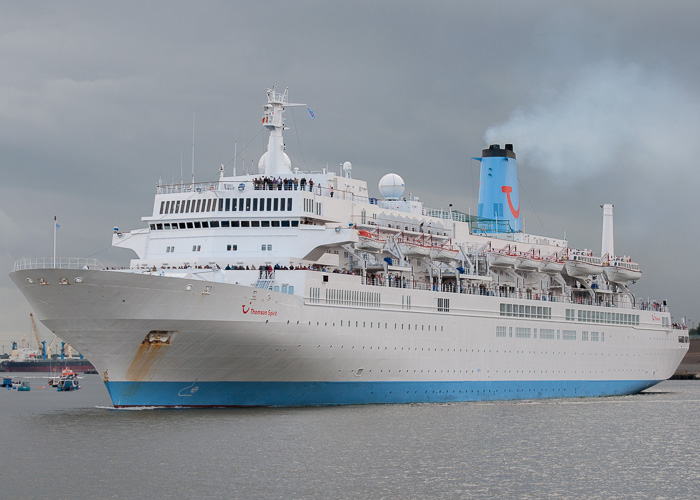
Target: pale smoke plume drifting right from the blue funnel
(608, 119)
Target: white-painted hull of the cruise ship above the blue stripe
(217, 338)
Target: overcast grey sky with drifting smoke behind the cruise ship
(600, 99)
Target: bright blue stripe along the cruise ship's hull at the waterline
(219, 394)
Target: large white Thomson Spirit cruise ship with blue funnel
(291, 287)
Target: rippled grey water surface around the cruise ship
(73, 445)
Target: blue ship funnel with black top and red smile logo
(499, 197)
